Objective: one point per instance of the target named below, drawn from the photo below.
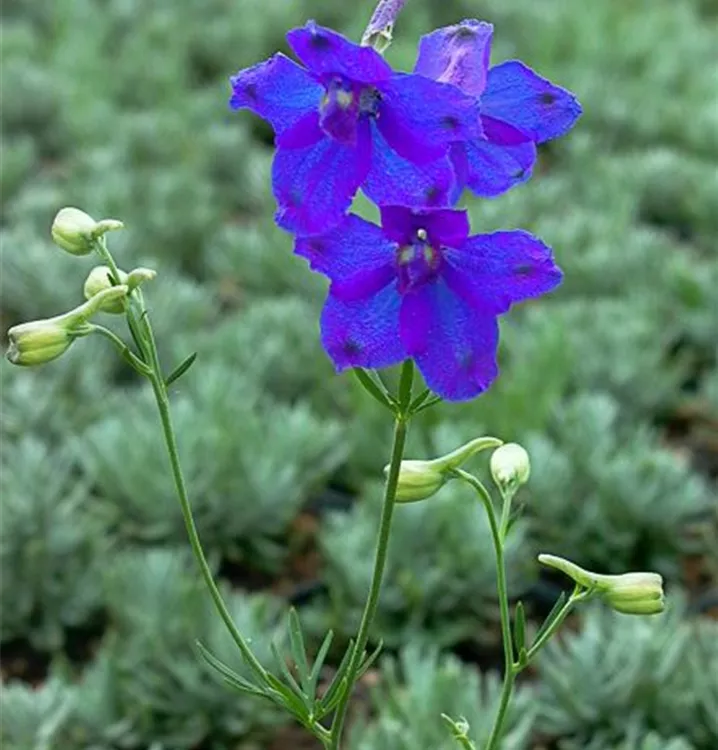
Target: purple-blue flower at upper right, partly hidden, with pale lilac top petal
(519, 109)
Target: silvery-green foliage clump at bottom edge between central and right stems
(414, 690)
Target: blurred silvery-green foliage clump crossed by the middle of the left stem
(249, 465)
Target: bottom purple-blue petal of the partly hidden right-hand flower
(488, 169)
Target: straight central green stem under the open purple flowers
(387, 512)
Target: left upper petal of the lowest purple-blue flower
(354, 253)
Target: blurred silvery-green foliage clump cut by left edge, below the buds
(50, 548)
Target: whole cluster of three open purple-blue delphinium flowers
(421, 285)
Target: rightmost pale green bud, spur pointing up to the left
(629, 593)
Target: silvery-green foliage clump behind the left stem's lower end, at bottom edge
(159, 609)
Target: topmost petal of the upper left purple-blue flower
(325, 52)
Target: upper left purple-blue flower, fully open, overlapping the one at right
(348, 121)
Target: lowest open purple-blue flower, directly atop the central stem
(419, 286)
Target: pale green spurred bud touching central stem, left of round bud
(421, 479)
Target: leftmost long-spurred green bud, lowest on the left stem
(41, 341)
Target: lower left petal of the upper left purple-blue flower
(314, 186)
